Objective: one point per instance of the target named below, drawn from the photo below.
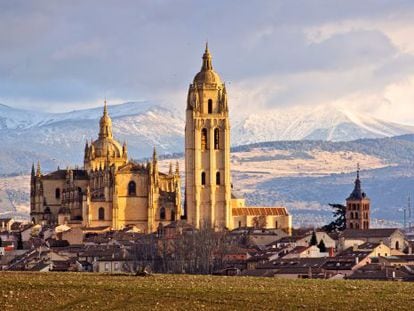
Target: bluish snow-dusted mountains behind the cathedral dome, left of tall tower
(59, 138)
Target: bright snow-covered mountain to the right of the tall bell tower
(320, 123)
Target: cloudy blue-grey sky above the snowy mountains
(63, 55)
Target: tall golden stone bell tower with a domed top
(207, 150)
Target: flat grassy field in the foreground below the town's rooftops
(76, 291)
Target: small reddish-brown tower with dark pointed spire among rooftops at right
(357, 207)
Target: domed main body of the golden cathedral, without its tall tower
(110, 191)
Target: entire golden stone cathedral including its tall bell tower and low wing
(111, 191)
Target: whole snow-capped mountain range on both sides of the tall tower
(58, 138)
